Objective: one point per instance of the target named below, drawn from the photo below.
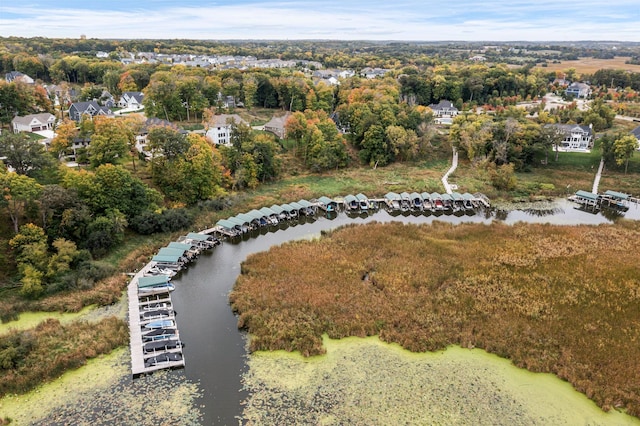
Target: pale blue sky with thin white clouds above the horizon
(418, 20)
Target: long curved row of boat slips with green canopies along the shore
(154, 336)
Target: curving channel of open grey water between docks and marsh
(215, 351)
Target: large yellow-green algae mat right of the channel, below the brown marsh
(366, 381)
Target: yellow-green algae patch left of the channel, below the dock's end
(102, 392)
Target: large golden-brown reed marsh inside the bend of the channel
(550, 298)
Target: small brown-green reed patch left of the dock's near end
(27, 358)
